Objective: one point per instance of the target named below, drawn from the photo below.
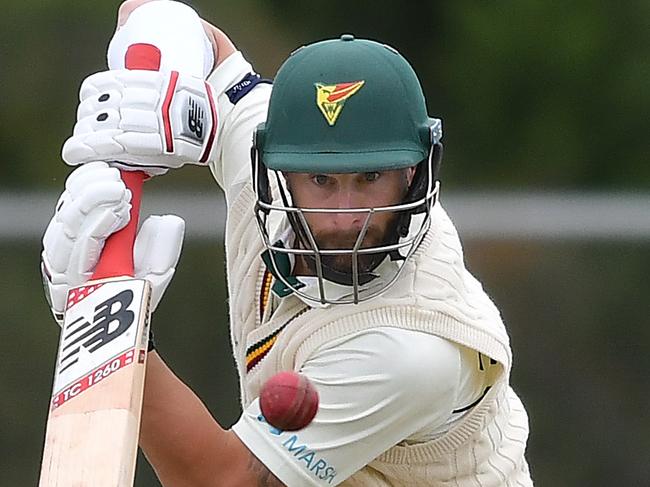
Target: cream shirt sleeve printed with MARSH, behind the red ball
(376, 388)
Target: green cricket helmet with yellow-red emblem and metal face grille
(345, 106)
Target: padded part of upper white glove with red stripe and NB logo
(144, 120)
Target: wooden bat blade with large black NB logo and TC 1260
(94, 418)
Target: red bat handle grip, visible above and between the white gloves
(117, 256)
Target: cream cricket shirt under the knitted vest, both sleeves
(377, 387)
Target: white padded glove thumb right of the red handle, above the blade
(157, 250)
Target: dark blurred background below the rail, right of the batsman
(577, 316)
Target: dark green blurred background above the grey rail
(533, 94)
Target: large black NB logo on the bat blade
(111, 319)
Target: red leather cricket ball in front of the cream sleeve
(289, 401)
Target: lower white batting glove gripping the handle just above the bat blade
(95, 204)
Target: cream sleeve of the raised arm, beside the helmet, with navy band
(242, 104)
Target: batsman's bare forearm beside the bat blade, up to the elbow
(183, 442)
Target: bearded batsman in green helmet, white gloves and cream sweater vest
(342, 264)
